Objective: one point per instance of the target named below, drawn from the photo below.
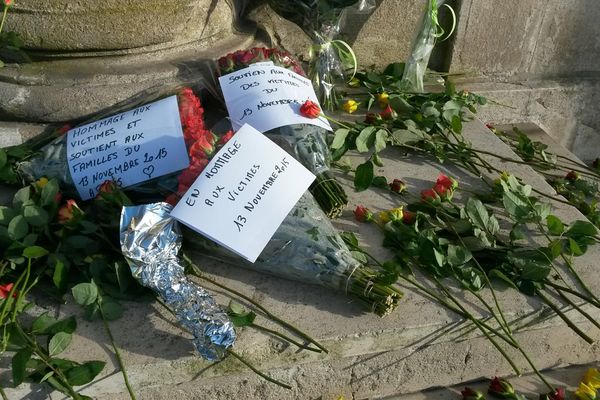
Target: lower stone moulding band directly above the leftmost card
(63, 90)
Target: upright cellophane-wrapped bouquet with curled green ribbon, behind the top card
(330, 58)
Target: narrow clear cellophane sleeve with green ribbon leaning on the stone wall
(429, 32)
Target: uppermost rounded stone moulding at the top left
(90, 25)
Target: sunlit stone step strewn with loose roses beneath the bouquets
(420, 346)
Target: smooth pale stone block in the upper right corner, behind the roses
(529, 38)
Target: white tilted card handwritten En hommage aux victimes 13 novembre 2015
(244, 193)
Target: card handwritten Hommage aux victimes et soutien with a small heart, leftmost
(128, 148)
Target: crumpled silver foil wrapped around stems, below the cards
(150, 241)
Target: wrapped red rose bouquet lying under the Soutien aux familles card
(308, 141)
